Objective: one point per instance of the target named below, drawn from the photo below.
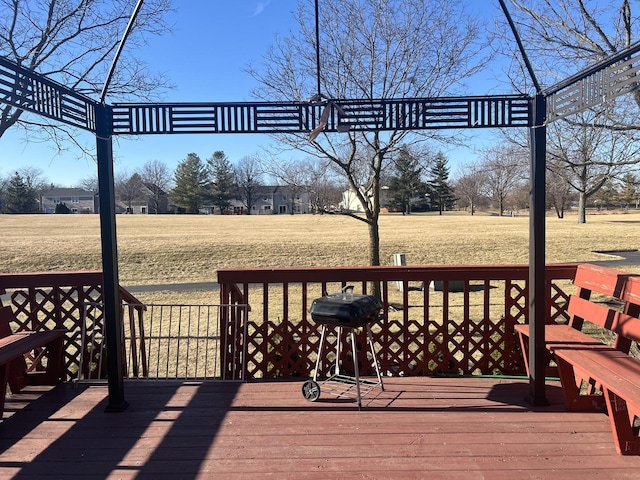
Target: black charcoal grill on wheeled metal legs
(347, 312)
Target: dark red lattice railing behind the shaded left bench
(49, 300)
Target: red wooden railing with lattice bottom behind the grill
(436, 319)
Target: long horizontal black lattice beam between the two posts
(301, 117)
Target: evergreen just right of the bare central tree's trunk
(406, 184)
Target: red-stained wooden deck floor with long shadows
(435, 428)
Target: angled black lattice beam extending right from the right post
(598, 84)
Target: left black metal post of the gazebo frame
(110, 280)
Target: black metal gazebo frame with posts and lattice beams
(35, 93)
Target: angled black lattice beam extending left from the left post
(32, 92)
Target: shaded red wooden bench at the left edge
(39, 345)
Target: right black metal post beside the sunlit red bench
(537, 280)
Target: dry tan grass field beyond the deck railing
(175, 249)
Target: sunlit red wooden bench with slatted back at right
(595, 374)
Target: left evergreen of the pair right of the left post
(190, 179)
